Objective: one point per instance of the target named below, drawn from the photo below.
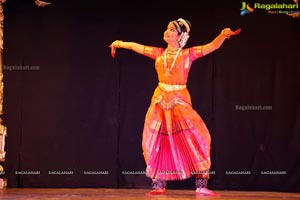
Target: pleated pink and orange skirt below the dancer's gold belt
(176, 141)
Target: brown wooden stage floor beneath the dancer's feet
(133, 194)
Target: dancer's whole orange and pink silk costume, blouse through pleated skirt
(176, 141)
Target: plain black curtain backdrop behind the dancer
(75, 115)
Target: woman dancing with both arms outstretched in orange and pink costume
(176, 142)
